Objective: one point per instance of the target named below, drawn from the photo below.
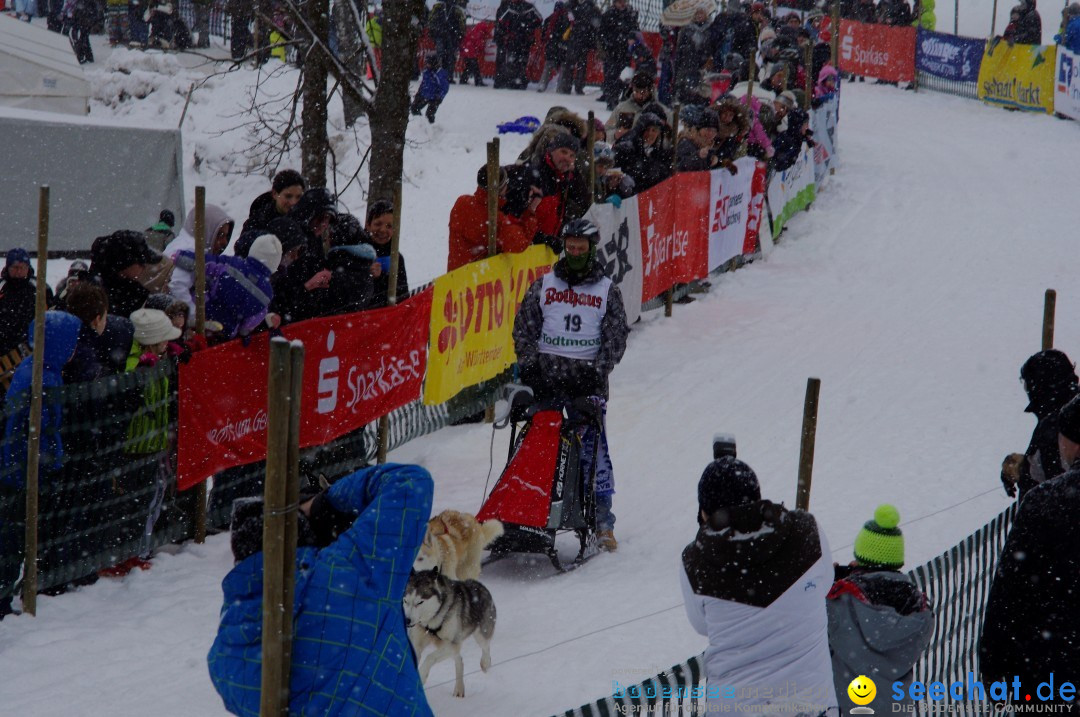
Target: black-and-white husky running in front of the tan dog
(445, 613)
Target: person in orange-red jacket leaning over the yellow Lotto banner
(469, 225)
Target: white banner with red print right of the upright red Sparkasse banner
(730, 197)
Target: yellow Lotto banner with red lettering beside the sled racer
(472, 320)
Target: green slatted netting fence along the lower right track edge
(957, 581)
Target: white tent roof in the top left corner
(39, 71)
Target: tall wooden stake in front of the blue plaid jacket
(275, 509)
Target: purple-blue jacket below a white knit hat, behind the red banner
(238, 290)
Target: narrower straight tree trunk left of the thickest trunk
(315, 144)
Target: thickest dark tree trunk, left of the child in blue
(389, 117)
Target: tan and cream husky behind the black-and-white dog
(454, 544)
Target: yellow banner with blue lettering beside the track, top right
(1021, 77)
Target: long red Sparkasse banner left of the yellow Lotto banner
(357, 368)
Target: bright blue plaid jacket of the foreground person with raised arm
(352, 653)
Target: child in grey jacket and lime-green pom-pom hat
(880, 624)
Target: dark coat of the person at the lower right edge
(1031, 628)
